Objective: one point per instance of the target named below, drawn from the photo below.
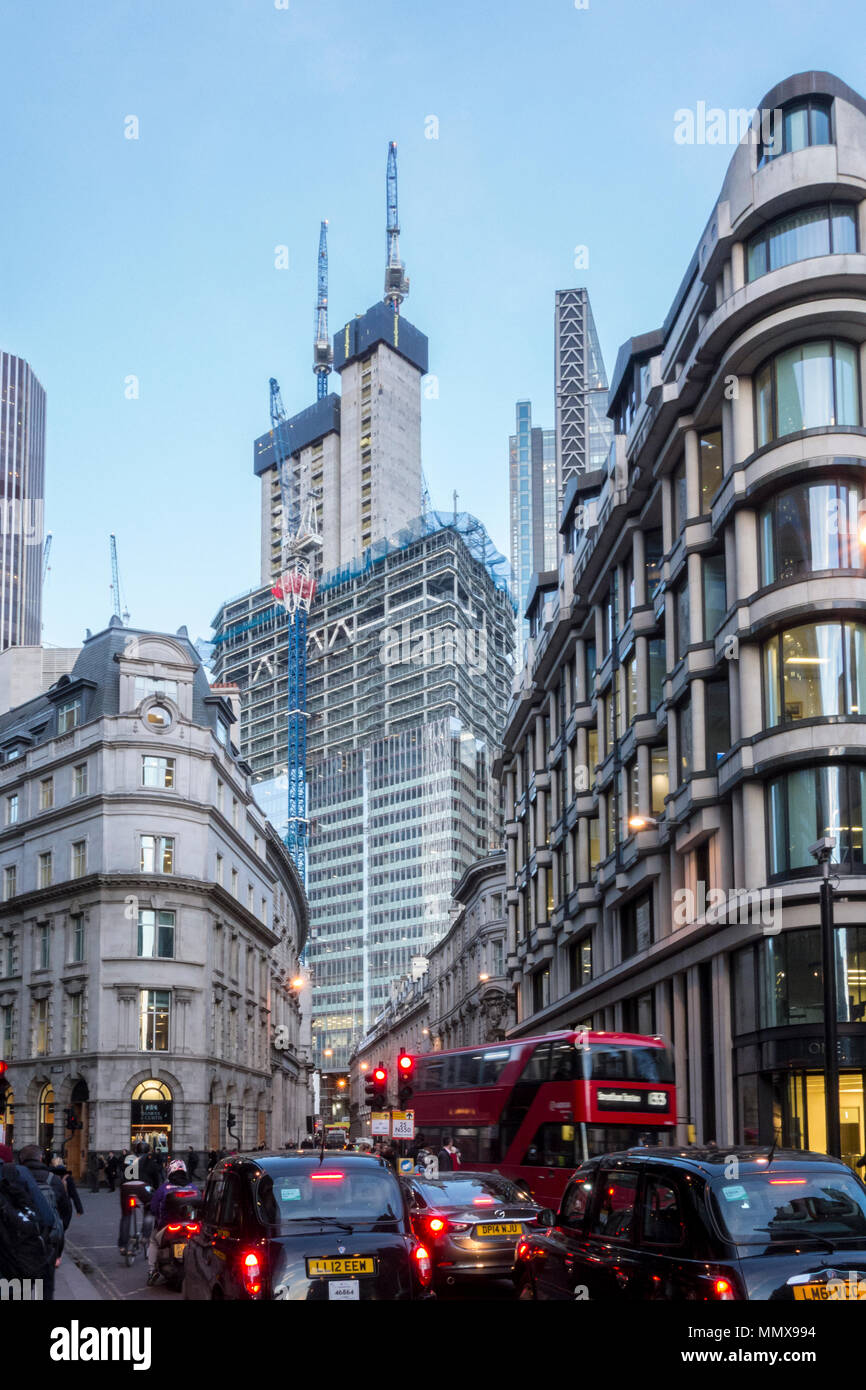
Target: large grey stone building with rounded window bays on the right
(700, 669)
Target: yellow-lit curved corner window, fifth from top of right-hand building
(815, 672)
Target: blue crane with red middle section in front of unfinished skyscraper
(295, 590)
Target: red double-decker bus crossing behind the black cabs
(534, 1109)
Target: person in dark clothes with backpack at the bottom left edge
(27, 1253)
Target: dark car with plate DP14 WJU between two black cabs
(471, 1223)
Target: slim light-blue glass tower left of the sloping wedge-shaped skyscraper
(534, 504)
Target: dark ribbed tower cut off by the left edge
(22, 504)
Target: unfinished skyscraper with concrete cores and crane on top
(409, 668)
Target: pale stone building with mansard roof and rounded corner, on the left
(152, 921)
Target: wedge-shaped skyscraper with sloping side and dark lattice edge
(583, 430)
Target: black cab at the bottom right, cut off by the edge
(703, 1225)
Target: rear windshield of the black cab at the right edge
(768, 1207)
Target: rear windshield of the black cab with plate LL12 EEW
(348, 1195)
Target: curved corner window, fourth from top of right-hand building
(810, 529)
